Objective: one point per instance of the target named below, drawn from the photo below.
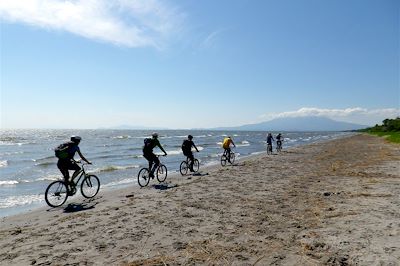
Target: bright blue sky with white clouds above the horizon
(196, 64)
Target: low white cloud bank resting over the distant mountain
(353, 115)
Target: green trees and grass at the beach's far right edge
(390, 129)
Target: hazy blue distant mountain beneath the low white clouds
(311, 123)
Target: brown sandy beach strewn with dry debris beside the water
(331, 203)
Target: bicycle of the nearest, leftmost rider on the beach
(58, 191)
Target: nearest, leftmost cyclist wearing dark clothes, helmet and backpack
(66, 160)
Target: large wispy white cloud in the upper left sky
(131, 23)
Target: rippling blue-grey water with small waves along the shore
(28, 164)
